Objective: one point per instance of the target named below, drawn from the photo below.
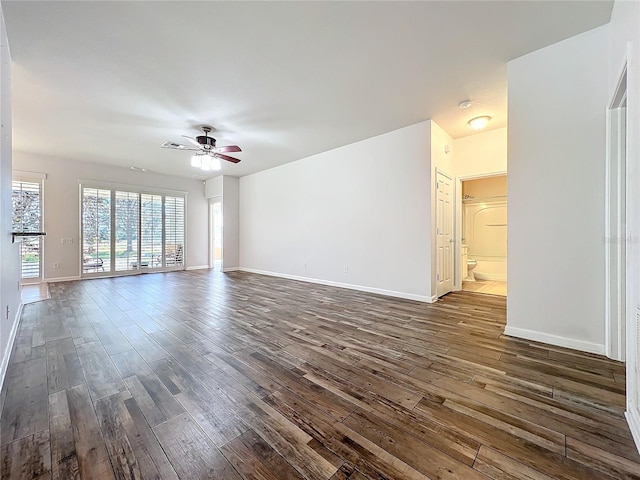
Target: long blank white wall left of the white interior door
(364, 206)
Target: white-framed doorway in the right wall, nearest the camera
(616, 233)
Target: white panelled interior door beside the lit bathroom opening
(444, 234)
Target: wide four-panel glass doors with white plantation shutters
(126, 231)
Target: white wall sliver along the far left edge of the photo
(9, 260)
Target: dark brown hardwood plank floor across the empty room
(197, 375)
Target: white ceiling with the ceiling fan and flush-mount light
(109, 82)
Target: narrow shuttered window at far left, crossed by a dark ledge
(27, 217)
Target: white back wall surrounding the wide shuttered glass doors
(62, 208)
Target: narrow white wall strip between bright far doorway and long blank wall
(231, 225)
